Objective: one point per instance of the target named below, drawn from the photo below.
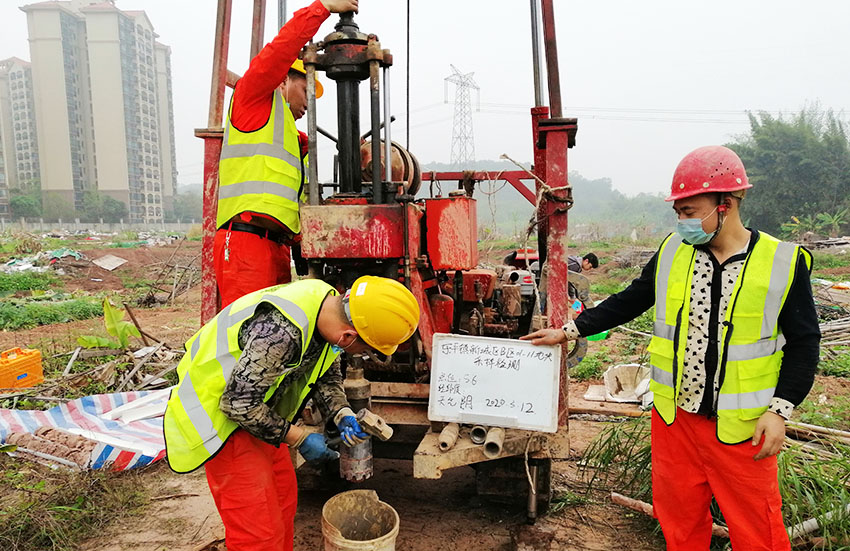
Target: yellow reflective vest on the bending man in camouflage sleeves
(195, 428)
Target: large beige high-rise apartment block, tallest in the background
(103, 106)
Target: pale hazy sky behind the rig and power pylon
(649, 81)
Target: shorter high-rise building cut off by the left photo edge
(19, 161)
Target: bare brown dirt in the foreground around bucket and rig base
(434, 514)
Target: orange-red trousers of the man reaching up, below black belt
(245, 263)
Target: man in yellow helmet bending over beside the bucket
(245, 377)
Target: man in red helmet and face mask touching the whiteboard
(734, 350)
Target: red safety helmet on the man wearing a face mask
(708, 169)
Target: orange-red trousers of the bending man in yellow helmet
(254, 488)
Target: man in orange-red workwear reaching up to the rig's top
(263, 161)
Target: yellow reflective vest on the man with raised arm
(262, 171)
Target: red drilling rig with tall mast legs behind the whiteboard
(368, 221)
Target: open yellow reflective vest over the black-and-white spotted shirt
(751, 352)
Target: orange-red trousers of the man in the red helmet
(689, 465)
